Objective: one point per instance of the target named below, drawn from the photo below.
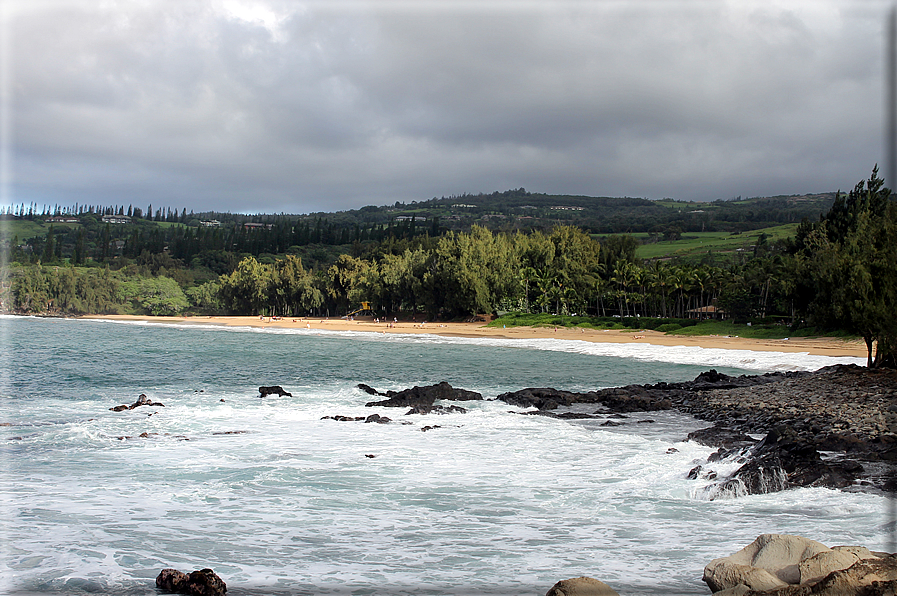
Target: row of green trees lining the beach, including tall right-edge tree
(838, 272)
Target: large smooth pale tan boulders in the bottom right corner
(783, 565)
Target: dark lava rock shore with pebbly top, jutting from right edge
(836, 427)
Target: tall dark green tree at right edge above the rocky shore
(847, 264)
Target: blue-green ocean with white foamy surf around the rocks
(277, 500)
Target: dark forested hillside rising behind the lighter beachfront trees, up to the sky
(99, 233)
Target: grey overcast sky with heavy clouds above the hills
(287, 106)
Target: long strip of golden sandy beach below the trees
(822, 346)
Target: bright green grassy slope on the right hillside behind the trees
(701, 242)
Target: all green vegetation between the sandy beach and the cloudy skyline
(479, 254)
